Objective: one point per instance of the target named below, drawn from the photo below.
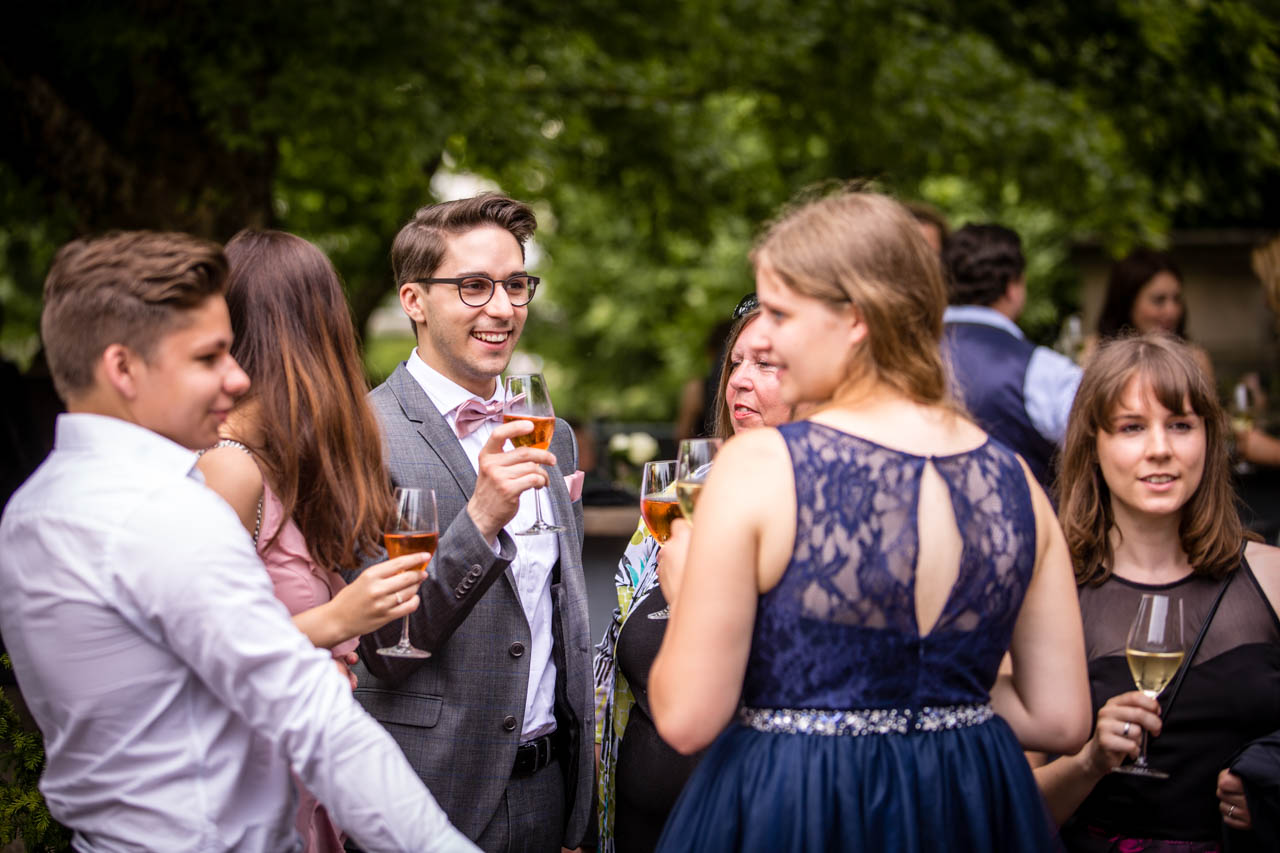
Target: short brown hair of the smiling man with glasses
(419, 248)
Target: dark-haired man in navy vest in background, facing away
(1017, 391)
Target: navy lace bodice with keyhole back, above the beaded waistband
(840, 628)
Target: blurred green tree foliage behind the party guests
(655, 139)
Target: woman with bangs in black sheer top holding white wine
(1148, 507)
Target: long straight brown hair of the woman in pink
(321, 446)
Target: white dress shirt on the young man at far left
(173, 691)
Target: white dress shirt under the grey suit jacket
(536, 556)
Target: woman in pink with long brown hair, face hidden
(301, 458)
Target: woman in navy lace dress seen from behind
(857, 578)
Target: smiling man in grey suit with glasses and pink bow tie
(500, 720)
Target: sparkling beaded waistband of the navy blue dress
(865, 723)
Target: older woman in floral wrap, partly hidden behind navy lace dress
(641, 776)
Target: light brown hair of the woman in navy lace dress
(865, 248)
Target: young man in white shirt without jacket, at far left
(173, 692)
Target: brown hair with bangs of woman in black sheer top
(1210, 530)
